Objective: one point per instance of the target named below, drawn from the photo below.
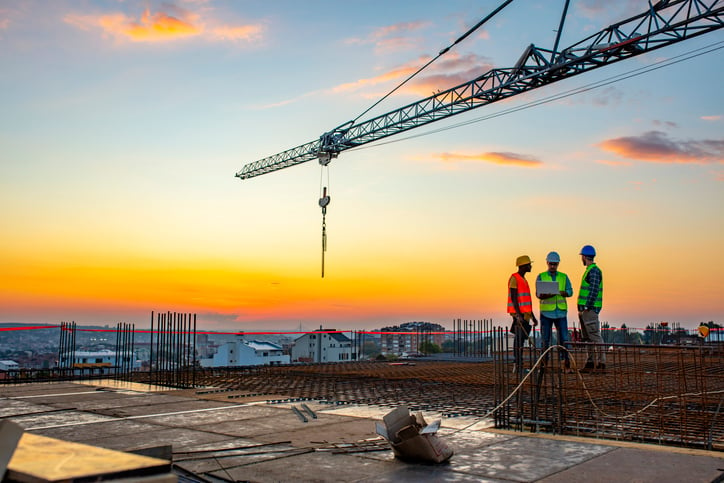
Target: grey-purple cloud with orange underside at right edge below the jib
(656, 147)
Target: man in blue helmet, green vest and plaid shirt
(590, 301)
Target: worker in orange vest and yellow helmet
(520, 307)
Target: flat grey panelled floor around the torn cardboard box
(258, 440)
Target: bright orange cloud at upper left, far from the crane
(173, 23)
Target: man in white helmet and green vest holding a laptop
(553, 306)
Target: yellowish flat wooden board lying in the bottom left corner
(39, 459)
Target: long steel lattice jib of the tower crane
(665, 23)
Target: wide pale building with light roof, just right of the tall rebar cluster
(247, 353)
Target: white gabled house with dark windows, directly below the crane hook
(323, 345)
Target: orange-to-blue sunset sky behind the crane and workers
(123, 124)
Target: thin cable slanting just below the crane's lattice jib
(578, 90)
